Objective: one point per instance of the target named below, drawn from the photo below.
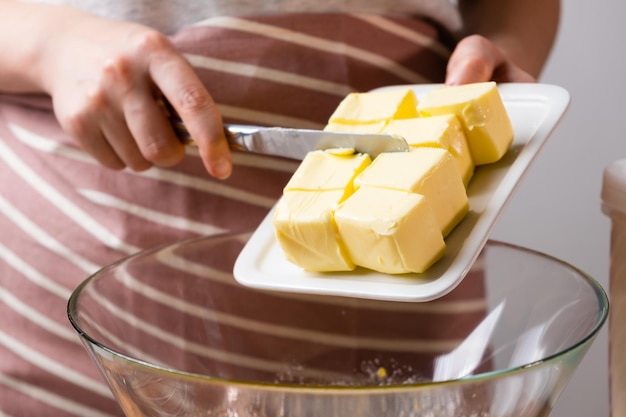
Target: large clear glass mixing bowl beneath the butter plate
(175, 335)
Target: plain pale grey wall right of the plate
(556, 209)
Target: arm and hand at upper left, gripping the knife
(103, 77)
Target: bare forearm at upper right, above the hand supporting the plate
(524, 30)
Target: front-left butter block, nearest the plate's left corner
(305, 230)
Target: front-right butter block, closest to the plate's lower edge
(390, 231)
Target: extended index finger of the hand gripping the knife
(194, 105)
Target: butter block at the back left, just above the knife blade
(375, 107)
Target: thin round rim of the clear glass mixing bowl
(603, 314)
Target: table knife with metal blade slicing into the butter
(296, 143)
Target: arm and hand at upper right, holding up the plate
(504, 40)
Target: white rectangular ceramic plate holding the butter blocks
(534, 109)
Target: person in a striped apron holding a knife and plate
(82, 84)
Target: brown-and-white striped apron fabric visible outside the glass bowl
(62, 216)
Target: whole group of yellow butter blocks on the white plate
(341, 210)
